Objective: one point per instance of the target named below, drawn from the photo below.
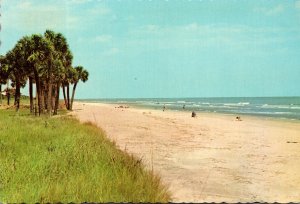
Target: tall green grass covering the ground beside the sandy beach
(61, 160)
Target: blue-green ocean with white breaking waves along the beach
(274, 107)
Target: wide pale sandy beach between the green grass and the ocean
(208, 158)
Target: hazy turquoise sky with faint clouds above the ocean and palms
(170, 48)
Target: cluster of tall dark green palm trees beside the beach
(46, 62)
